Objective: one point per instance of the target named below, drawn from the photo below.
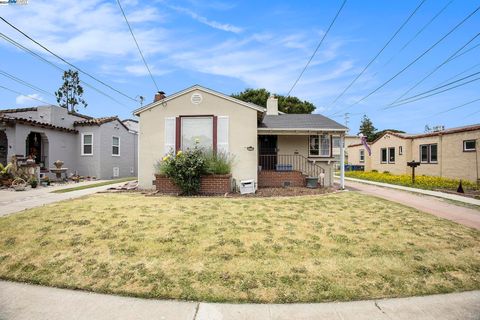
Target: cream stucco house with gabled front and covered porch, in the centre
(268, 147)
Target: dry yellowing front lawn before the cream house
(341, 246)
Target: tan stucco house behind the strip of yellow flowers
(451, 153)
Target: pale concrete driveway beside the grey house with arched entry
(12, 201)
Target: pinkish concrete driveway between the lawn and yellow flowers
(436, 206)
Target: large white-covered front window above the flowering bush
(197, 130)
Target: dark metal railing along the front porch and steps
(289, 162)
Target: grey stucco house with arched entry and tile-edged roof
(97, 147)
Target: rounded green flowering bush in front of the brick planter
(185, 169)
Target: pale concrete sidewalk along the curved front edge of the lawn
(22, 301)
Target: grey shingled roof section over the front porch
(299, 122)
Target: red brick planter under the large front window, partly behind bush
(209, 184)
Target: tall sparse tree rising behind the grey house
(69, 95)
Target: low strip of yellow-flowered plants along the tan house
(422, 182)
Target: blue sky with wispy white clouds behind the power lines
(229, 46)
